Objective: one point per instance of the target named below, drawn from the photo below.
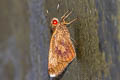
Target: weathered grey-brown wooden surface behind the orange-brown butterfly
(26, 32)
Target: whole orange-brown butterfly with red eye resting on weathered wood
(61, 51)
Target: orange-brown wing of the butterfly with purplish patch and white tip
(61, 52)
